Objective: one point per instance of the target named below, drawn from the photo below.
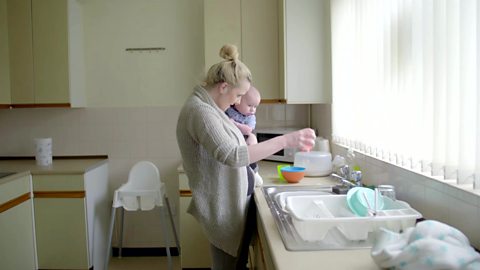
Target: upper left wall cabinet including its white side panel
(45, 53)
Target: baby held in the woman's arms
(243, 116)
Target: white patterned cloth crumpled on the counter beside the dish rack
(428, 245)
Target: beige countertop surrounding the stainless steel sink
(357, 259)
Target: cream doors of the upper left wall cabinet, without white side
(38, 51)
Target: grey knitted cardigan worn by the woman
(215, 157)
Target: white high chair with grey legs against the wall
(143, 191)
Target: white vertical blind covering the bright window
(406, 85)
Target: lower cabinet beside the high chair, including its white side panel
(71, 218)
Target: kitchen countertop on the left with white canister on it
(60, 165)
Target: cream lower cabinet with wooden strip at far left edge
(17, 232)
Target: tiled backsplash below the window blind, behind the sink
(434, 199)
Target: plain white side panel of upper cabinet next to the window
(305, 51)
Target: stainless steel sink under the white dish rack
(276, 197)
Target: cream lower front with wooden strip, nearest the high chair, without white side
(61, 221)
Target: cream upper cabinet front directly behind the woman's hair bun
(253, 27)
